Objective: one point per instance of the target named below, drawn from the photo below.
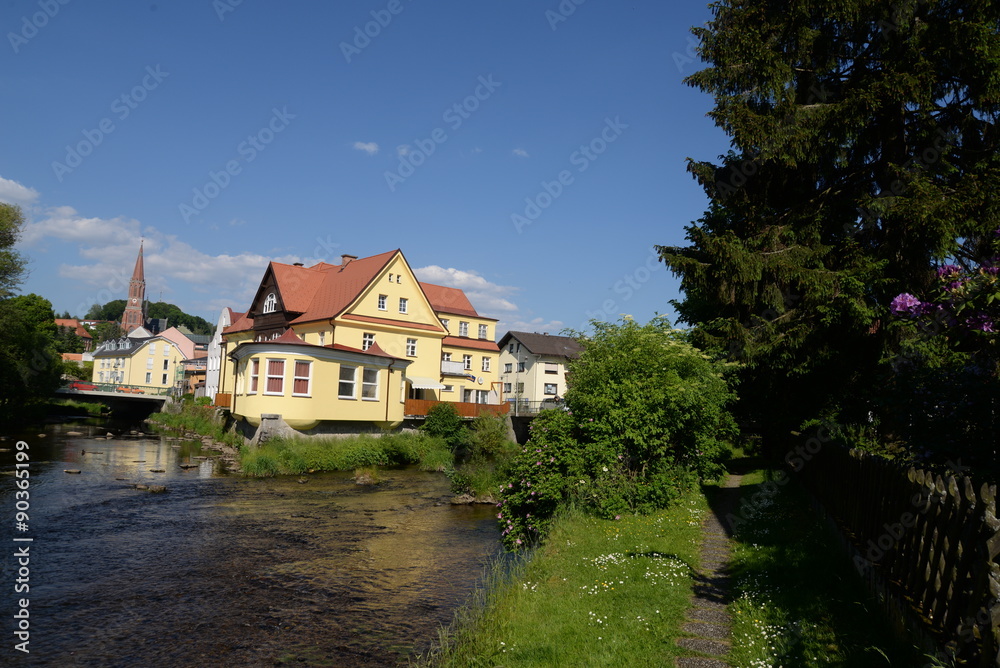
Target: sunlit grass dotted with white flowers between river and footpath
(596, 592)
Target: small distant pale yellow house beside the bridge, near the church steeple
(152, 364)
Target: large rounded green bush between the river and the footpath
(647, 416)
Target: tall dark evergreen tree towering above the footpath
(864, 151)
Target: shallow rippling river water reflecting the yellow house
(222, 570)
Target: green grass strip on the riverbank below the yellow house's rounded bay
(291, 456)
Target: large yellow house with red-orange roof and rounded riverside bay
(357, 343)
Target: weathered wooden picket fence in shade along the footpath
(926, 543)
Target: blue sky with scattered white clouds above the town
(531, 153)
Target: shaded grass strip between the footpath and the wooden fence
(797, 600)
